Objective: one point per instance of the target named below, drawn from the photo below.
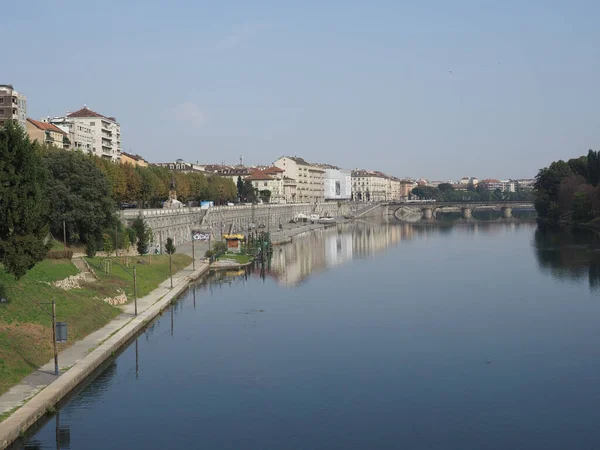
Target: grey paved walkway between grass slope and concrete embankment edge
(43, 376)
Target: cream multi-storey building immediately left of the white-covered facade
(310, 179)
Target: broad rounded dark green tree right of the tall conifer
(79, 194)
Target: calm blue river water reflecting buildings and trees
(456, 335)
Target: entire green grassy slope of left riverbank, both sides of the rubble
(26, 330)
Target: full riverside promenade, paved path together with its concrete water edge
(40, 391)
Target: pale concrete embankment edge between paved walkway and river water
(27, 415)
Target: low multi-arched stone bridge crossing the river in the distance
(429, 209)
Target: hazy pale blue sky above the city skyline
(354, 83)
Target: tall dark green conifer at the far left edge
(23, 203)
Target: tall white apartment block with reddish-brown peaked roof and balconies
(106, 132)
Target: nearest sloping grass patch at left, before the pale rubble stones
(25, 327)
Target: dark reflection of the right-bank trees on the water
(569, 253)
